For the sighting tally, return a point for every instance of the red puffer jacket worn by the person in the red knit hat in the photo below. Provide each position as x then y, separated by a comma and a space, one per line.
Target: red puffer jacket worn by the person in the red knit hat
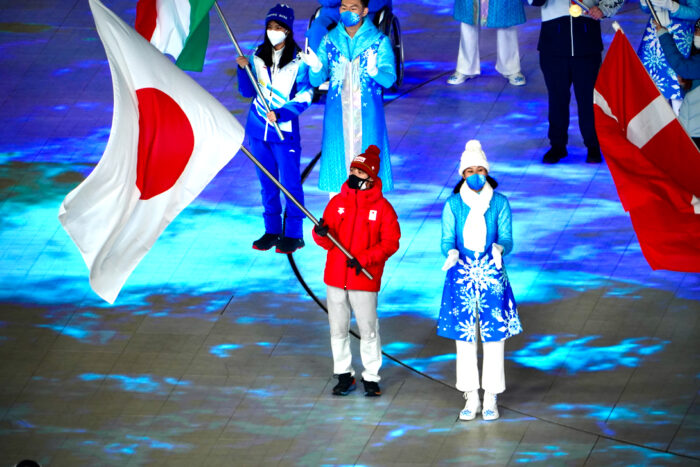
366, 224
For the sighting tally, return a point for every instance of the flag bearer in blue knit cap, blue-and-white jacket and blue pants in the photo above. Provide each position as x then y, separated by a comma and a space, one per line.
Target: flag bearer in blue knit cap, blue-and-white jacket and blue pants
284, 80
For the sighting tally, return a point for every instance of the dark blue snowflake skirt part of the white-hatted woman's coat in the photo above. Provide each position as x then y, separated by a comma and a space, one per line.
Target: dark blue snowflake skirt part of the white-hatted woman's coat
478, 298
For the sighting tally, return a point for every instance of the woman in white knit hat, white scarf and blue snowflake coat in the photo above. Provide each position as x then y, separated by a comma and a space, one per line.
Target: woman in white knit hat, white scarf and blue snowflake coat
477, 299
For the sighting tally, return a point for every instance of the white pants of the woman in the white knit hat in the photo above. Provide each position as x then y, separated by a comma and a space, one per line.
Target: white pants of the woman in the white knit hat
493, 379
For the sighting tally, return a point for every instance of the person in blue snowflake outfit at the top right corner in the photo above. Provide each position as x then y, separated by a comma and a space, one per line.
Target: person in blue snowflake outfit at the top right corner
678, 17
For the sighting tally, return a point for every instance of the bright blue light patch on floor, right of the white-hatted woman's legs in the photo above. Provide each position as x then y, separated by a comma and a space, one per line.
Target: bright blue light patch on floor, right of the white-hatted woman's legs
548, 353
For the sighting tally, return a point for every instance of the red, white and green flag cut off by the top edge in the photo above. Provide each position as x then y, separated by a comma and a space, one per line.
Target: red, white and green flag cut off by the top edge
176, 27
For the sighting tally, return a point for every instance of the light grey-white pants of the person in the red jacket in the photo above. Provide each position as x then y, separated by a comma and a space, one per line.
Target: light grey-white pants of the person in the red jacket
340, 305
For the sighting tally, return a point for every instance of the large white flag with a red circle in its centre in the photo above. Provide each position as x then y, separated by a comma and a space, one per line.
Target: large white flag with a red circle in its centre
169, 138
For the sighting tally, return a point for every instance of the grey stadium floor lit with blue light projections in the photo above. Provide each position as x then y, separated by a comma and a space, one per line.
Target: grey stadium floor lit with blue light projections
214, 355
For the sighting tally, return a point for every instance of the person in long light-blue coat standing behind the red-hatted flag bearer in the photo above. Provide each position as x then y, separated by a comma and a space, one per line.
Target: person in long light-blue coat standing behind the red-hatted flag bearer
358, 61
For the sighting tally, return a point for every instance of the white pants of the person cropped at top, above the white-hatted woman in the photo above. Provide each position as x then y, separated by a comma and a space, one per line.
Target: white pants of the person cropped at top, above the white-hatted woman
507, 55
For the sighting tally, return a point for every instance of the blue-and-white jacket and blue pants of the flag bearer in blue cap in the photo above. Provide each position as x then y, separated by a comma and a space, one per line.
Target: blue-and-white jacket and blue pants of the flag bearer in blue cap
288, 94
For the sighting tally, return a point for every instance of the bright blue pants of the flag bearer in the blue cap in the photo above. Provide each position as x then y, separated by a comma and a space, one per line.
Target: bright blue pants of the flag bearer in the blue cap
282, 160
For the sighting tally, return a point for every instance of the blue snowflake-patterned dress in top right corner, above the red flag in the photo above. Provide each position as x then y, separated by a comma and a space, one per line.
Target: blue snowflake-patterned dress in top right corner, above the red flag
654, 60
